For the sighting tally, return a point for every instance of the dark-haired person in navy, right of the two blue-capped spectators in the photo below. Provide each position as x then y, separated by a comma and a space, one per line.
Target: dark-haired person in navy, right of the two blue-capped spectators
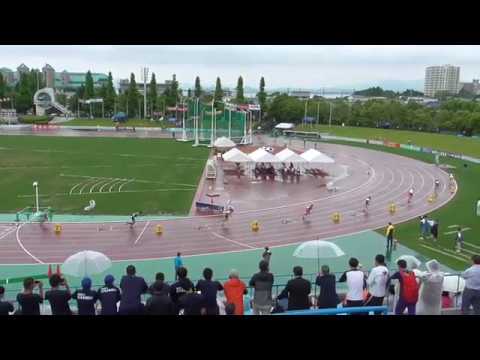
132, 289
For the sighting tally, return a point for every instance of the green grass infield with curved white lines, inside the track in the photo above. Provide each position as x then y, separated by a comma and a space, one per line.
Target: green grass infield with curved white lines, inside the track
156, 176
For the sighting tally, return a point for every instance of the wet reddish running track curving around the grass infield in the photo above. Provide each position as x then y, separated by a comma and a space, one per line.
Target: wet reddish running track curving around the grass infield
279, 213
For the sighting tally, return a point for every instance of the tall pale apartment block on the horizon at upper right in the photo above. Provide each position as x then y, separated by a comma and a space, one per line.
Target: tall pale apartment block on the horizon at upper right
444, 79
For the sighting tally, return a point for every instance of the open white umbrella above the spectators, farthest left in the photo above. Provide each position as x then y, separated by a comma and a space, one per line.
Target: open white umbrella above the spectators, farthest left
86, 263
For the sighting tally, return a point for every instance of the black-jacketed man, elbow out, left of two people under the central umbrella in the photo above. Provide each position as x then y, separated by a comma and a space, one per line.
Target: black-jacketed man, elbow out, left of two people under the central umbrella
297, 291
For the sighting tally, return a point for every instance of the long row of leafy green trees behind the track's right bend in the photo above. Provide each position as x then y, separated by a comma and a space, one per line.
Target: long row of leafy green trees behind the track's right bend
452, 115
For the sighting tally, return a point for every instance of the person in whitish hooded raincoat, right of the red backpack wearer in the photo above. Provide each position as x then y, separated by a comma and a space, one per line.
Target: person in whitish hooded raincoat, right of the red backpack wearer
430, 300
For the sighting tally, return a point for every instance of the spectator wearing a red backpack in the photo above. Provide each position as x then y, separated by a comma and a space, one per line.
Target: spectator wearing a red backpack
409, 289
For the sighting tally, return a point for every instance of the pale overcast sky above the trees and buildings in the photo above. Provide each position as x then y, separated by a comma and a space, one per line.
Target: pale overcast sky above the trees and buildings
282, 66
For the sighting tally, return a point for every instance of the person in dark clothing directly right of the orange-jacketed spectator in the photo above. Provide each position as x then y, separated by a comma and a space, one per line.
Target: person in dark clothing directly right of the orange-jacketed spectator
262, 282
